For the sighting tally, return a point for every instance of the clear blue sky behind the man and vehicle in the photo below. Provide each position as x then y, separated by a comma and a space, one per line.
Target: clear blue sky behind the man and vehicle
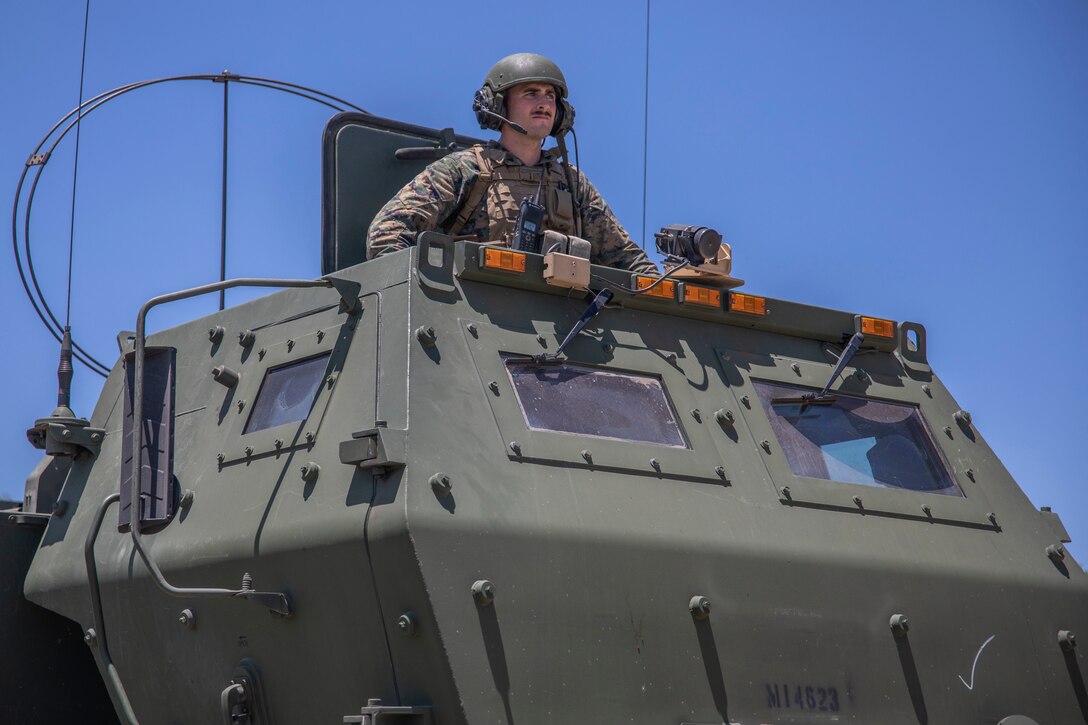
922, 162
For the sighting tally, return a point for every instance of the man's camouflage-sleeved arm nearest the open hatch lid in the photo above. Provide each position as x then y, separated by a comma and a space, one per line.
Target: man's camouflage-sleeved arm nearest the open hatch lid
424, 205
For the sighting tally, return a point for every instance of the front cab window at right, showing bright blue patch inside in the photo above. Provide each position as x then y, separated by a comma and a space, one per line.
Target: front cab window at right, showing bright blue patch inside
857, 440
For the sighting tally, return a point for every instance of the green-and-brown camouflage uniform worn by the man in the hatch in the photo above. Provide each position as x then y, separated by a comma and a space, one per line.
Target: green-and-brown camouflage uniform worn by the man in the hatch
434, 200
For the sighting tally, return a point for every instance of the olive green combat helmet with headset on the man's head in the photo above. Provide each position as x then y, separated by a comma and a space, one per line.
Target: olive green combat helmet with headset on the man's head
512, 71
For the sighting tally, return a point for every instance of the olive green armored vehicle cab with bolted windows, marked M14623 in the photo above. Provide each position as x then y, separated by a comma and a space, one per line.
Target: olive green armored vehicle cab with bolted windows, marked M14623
386, 499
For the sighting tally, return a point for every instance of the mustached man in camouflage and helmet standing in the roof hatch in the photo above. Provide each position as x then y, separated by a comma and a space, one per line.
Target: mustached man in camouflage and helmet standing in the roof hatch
477, 192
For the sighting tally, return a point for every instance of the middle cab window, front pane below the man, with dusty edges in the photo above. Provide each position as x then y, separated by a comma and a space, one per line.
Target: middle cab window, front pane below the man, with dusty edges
586, 401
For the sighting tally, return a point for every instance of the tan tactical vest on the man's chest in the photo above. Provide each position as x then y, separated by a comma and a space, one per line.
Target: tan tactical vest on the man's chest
503, 188
